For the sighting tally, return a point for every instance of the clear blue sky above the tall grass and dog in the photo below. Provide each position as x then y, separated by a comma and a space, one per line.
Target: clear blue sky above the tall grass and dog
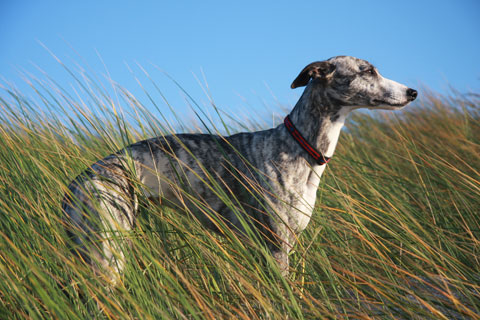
248, 51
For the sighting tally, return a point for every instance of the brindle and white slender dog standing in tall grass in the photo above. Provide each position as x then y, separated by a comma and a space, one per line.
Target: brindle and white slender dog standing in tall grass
271, 175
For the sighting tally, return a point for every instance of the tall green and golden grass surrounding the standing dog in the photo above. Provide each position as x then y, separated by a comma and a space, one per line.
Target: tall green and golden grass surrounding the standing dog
395, 234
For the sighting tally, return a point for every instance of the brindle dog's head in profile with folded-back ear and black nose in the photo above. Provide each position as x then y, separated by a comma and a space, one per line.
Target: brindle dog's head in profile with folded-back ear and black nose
354, 82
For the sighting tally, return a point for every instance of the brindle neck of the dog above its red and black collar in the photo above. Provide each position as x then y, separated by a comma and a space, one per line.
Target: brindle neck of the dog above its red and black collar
319, 119
